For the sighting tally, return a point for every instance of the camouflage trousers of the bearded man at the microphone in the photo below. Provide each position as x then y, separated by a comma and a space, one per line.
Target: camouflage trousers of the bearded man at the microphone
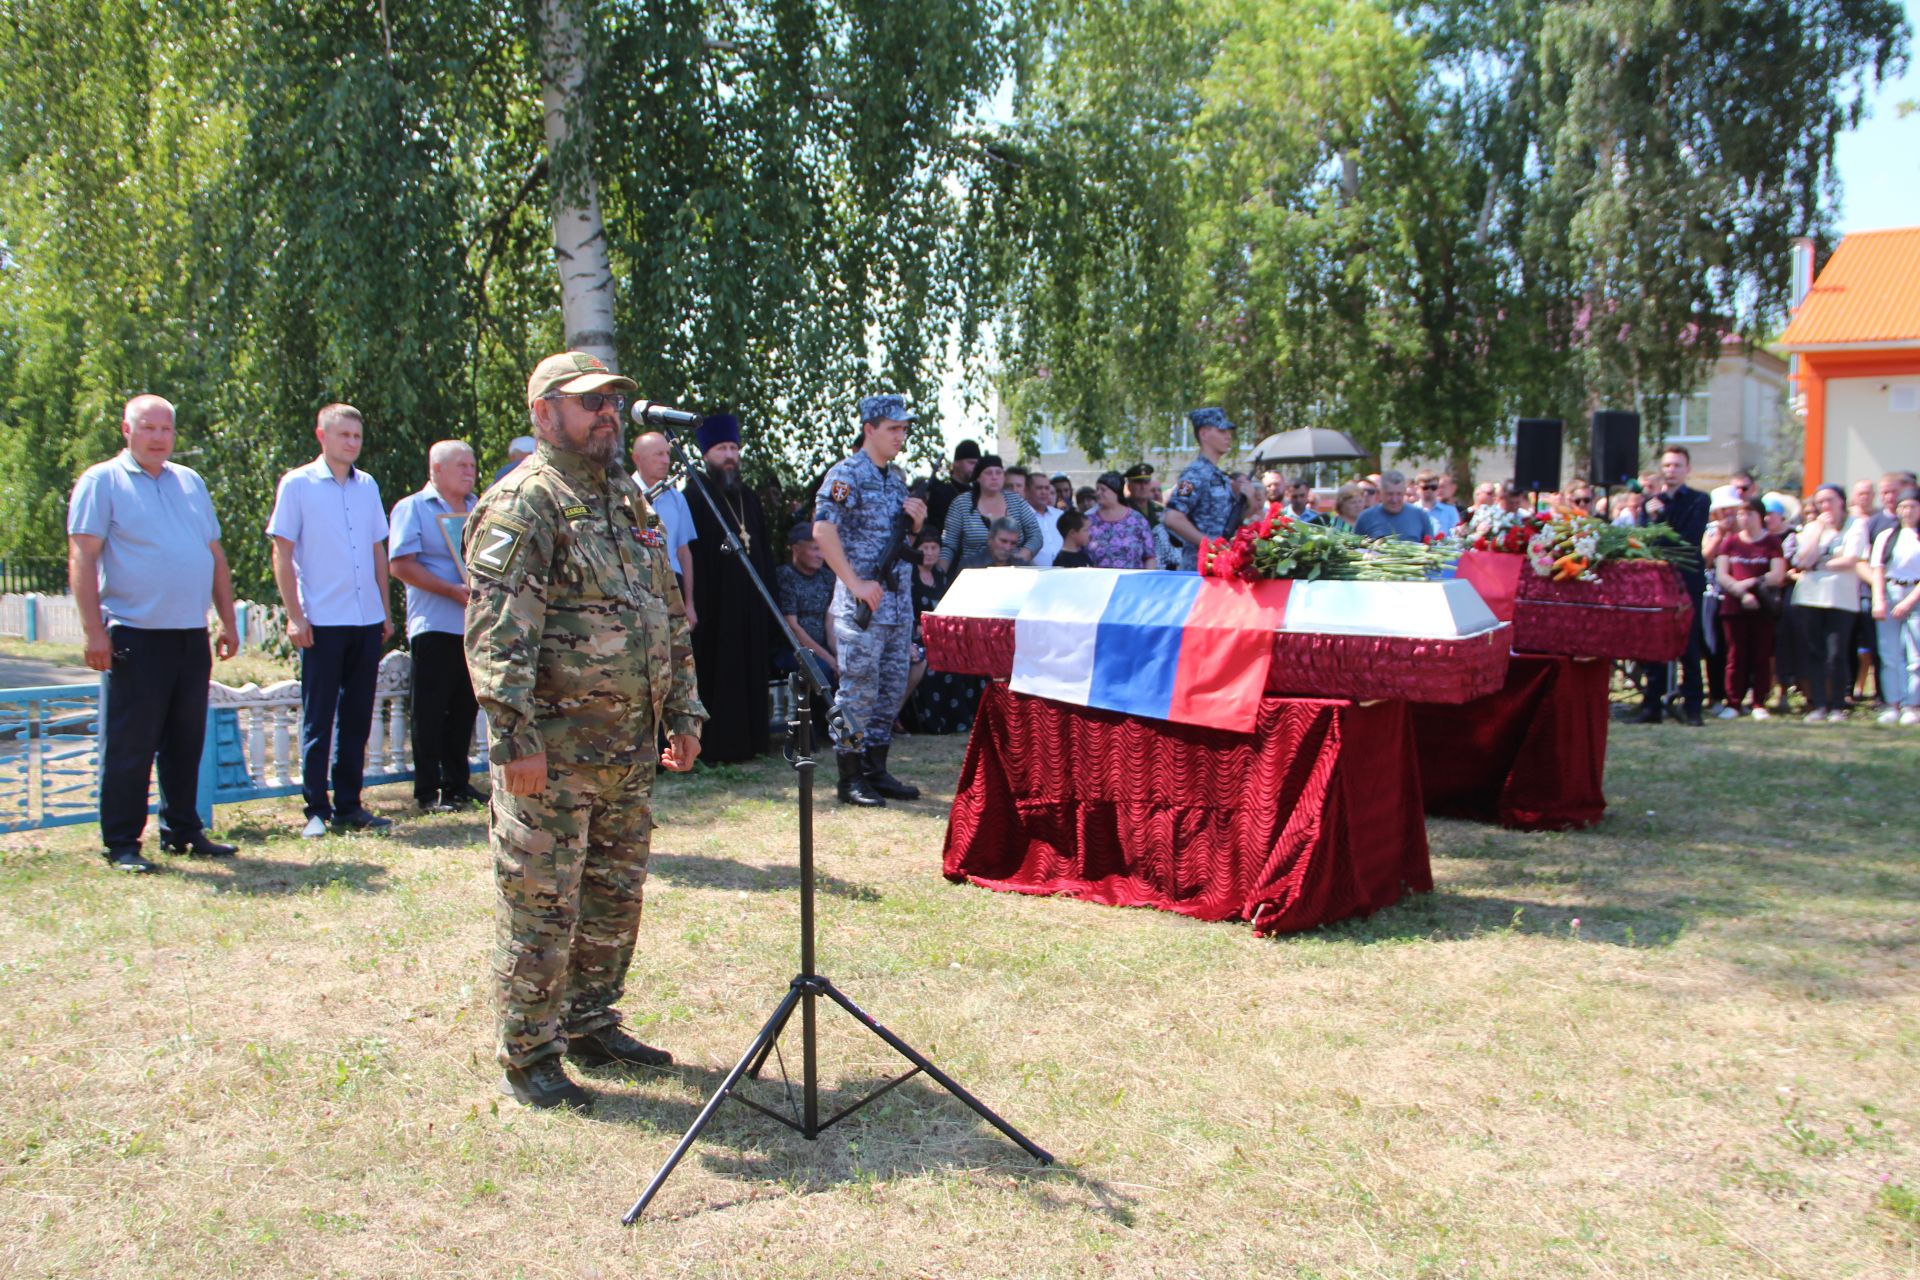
569, 870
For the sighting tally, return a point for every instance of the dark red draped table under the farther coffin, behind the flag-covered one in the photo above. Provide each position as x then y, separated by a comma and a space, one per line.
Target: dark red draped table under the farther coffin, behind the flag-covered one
1531, 757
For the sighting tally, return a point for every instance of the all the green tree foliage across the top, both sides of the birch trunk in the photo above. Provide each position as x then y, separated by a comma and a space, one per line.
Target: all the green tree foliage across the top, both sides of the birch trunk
1408, 220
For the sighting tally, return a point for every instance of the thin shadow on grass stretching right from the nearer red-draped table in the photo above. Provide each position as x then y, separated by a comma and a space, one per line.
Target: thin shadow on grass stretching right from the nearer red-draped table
1454, 918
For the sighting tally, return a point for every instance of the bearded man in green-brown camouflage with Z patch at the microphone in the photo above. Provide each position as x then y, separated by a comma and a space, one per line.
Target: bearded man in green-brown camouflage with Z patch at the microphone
581, 653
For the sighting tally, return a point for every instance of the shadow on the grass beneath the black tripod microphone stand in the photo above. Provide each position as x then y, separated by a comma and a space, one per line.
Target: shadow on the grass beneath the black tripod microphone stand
913, 1129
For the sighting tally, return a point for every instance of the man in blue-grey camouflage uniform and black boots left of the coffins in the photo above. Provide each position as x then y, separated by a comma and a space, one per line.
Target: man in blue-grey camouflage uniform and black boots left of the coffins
853, 523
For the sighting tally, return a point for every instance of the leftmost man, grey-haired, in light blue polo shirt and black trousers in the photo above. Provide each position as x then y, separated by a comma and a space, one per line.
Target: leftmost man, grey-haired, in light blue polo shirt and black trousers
145, 563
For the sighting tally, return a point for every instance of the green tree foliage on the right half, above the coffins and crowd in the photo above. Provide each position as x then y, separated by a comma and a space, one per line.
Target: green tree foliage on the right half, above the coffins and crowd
1414, 220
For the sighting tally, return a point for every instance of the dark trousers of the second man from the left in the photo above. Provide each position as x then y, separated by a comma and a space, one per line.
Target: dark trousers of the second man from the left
337, 707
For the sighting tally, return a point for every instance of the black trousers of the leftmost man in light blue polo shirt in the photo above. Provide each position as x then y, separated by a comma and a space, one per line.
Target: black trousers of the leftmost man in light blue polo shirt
156, 717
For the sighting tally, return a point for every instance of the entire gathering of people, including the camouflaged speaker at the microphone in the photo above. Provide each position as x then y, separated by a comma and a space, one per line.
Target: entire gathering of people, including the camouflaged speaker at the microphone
606, 625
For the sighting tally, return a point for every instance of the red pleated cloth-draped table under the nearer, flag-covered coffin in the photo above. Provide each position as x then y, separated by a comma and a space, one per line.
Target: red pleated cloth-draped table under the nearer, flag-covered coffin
1312, 818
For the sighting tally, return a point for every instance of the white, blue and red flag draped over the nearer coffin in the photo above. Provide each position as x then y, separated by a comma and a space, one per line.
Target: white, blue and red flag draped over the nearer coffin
1149, 644
